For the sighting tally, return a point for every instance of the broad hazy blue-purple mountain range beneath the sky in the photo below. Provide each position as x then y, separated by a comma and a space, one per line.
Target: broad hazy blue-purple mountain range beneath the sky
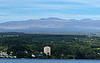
51, 25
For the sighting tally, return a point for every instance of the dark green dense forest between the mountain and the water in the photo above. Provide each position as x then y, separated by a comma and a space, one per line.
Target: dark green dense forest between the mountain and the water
63, 46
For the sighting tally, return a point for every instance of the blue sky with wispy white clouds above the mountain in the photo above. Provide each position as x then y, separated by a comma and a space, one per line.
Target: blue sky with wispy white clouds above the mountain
16, 10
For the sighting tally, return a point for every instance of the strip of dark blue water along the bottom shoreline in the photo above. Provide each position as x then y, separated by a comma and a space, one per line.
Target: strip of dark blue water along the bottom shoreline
47, 61
